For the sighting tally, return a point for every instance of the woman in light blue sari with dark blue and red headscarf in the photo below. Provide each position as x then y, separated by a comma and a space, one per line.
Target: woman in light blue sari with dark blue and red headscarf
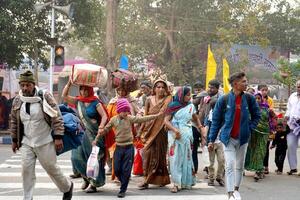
180, 113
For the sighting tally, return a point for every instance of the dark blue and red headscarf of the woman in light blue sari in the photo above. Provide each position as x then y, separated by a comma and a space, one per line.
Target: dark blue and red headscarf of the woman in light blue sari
178, 100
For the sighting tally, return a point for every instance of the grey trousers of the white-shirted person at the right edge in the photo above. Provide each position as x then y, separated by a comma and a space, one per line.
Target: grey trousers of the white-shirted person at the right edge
292, 141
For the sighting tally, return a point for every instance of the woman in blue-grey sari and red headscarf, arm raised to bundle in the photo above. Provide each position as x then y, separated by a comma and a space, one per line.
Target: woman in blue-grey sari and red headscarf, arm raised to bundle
94, 116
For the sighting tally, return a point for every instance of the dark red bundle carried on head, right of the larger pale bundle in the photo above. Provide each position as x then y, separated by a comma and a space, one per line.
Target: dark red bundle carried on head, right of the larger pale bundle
124, 78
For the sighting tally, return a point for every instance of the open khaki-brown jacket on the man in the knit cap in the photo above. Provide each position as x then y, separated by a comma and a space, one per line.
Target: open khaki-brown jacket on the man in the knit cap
17, 128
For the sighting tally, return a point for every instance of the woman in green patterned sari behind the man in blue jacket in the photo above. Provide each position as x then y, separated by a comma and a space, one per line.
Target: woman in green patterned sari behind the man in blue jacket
257, 145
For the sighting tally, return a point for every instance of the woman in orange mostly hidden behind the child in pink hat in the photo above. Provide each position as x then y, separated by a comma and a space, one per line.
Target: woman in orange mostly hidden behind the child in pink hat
121, 92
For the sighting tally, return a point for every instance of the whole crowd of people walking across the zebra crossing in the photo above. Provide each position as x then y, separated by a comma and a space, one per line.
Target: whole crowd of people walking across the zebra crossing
238, 129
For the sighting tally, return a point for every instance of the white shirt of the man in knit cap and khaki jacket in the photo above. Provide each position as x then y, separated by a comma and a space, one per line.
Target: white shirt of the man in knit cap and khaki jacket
37, 132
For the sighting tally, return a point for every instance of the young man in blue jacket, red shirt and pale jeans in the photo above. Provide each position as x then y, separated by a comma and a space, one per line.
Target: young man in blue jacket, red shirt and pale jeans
236, 115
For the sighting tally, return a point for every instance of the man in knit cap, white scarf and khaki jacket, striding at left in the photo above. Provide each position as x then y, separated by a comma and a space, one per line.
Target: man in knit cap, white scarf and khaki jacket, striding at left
32, 120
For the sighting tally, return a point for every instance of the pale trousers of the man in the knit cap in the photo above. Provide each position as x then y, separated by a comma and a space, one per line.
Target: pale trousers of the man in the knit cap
47, 157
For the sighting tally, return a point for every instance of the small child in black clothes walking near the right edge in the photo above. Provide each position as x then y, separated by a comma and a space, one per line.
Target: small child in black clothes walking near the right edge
280, 142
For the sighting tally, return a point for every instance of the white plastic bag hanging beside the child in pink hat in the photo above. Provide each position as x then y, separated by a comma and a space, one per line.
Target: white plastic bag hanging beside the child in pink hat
92, 169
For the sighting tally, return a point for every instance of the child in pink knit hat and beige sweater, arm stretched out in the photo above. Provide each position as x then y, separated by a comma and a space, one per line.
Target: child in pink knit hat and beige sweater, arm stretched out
124, 153
